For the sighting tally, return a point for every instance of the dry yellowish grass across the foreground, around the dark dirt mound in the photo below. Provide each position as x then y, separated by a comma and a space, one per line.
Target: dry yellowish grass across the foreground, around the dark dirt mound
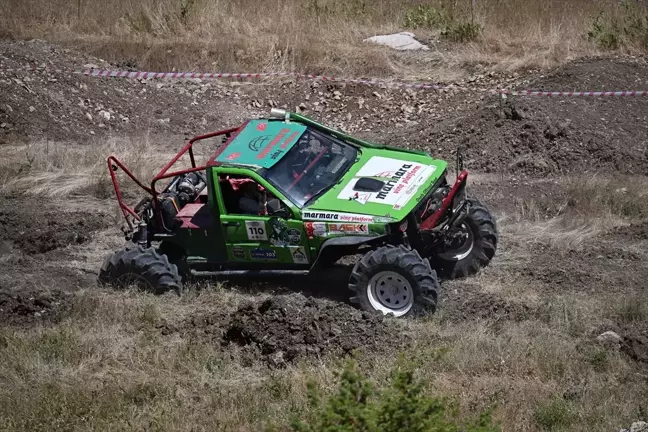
106, 367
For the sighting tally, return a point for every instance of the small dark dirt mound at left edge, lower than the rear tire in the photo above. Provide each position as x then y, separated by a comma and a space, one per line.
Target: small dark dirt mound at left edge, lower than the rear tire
24, 308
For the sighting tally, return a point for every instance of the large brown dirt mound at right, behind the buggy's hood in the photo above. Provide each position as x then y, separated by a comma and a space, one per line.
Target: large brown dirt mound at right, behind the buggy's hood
539, 135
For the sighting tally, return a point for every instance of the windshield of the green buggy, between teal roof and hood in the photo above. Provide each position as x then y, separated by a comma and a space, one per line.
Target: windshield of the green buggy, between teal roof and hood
314, 164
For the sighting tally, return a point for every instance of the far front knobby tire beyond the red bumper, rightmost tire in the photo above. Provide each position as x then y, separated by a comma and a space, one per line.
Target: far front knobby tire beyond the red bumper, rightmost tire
468, 259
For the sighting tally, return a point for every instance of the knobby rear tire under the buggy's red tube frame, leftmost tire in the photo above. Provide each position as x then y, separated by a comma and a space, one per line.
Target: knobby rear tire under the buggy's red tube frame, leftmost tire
143, 267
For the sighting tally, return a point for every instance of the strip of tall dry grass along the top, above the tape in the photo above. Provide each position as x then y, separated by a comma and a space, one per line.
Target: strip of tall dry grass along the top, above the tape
308, 35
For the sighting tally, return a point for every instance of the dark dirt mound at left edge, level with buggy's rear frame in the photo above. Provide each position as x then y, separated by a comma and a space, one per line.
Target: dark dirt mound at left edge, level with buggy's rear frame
29, 228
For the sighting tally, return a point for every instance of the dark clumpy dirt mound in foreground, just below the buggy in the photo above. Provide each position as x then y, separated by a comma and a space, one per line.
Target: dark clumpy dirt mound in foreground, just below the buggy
286, 328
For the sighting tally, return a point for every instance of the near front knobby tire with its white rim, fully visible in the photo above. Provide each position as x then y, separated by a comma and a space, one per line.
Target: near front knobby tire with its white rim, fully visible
396, 280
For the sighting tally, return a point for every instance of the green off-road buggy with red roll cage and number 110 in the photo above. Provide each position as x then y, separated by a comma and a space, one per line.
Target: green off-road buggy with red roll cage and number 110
321, 195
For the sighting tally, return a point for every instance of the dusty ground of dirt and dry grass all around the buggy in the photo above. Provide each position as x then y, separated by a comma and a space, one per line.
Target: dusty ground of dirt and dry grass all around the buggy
566, 178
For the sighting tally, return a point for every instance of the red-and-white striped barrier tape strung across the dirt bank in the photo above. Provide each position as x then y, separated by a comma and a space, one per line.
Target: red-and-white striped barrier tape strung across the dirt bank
102, 73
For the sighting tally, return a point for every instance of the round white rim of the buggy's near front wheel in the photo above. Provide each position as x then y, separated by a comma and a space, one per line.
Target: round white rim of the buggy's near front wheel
390, 292
